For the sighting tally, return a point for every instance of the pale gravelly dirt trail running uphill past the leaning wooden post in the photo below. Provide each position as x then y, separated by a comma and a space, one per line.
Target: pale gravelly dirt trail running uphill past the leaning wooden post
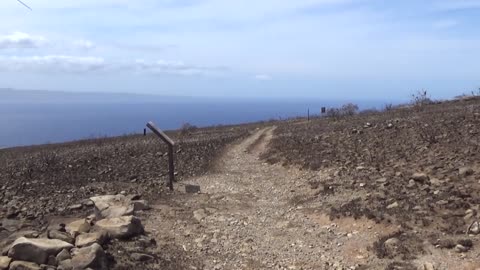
247, 217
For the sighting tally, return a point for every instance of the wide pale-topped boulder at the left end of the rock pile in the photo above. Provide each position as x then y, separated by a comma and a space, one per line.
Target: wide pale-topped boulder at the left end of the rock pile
36, 250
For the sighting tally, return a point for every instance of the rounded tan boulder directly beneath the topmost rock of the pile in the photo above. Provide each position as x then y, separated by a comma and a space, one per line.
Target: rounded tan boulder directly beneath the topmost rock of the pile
121, 227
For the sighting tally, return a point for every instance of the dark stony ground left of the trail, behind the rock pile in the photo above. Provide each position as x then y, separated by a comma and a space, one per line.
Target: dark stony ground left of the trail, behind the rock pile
40, 182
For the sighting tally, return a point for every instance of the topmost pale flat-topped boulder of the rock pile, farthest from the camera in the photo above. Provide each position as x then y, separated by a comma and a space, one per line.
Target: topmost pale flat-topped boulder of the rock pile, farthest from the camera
111, 206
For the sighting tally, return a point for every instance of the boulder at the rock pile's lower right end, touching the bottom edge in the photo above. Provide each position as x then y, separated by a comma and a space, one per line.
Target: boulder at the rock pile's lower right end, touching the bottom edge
90, 257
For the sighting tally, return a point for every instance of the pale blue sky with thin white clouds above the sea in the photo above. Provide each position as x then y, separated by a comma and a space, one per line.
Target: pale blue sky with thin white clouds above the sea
344, 49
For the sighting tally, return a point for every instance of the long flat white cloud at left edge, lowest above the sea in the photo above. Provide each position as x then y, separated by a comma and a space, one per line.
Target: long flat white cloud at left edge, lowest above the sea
52, 63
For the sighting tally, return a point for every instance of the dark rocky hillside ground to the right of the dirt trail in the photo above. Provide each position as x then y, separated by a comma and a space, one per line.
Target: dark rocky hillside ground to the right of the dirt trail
366, 168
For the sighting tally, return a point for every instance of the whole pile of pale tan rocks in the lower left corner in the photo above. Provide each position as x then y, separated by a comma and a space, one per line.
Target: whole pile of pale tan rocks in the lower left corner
77, 245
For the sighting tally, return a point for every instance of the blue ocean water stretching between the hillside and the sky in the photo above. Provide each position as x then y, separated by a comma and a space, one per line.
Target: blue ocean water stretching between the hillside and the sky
27, 124
